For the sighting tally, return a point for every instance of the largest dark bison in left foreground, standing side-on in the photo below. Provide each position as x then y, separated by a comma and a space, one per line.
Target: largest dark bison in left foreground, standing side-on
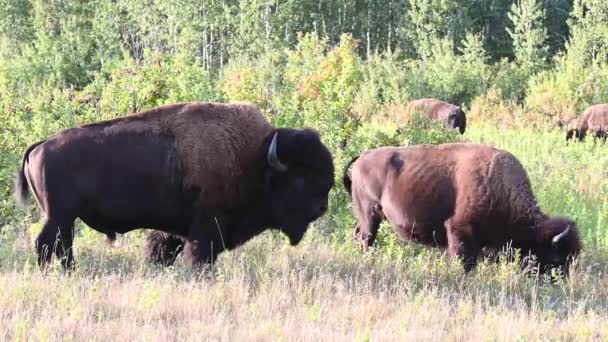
210, 176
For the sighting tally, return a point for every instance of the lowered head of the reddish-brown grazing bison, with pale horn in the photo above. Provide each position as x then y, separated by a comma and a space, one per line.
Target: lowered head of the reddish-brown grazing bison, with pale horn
557, 243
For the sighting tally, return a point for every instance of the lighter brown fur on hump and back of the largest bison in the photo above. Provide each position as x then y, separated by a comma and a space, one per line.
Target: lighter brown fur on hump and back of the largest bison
237, 130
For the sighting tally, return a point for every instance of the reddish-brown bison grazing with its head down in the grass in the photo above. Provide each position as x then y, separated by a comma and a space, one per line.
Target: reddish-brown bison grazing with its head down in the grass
461, 196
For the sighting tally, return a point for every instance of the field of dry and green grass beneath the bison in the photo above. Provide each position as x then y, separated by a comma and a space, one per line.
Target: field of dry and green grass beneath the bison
322, 289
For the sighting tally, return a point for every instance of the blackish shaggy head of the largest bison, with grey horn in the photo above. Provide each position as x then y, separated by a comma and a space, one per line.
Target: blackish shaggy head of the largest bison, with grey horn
299, 176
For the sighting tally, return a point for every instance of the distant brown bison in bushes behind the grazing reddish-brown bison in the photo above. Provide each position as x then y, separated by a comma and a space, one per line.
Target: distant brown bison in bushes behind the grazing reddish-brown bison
452, 115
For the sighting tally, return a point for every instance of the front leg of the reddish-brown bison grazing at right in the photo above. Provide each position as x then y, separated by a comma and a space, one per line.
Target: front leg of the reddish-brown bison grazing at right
462, 244
